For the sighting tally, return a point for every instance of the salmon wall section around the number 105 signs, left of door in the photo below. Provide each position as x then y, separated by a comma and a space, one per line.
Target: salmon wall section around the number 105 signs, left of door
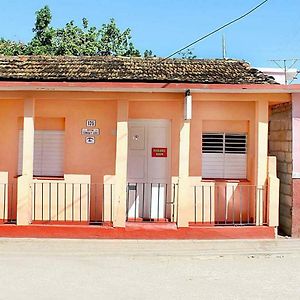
80, 158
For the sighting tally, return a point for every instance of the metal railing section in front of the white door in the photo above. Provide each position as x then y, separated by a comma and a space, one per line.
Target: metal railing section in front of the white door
152, 202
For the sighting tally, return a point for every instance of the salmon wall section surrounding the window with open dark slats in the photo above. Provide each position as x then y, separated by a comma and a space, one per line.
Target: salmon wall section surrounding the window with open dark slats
234, 117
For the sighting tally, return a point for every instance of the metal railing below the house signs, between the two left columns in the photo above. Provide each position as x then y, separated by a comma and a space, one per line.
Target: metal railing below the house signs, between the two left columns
72, 202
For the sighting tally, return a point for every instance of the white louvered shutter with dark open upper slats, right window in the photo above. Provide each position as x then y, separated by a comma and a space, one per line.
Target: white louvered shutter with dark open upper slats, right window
224, 155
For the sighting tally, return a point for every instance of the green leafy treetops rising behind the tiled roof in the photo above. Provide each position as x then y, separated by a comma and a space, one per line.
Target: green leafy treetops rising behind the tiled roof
71, 39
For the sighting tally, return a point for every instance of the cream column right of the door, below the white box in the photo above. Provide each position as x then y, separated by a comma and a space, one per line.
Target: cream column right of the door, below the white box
185, 208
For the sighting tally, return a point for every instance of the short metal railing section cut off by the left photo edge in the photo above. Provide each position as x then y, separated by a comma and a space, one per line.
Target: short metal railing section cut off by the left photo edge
8, 202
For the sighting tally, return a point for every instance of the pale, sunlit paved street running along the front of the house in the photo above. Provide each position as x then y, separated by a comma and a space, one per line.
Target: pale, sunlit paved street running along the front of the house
114, 269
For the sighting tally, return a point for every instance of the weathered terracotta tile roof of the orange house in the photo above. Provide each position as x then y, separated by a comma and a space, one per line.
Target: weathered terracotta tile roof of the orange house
107, 68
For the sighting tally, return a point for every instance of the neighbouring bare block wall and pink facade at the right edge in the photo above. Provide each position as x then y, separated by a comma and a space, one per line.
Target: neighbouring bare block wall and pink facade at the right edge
285, 145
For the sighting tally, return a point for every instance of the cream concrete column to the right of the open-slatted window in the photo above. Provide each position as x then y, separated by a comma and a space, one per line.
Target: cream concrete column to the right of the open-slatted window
262, 117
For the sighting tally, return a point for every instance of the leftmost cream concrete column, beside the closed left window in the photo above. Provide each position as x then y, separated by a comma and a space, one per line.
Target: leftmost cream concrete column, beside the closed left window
24, 193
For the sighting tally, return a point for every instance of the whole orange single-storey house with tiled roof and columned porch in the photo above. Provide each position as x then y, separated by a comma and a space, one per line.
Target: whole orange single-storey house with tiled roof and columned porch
124, 142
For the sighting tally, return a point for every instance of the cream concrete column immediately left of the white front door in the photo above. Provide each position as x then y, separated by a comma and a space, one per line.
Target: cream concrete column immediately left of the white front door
119, 213
